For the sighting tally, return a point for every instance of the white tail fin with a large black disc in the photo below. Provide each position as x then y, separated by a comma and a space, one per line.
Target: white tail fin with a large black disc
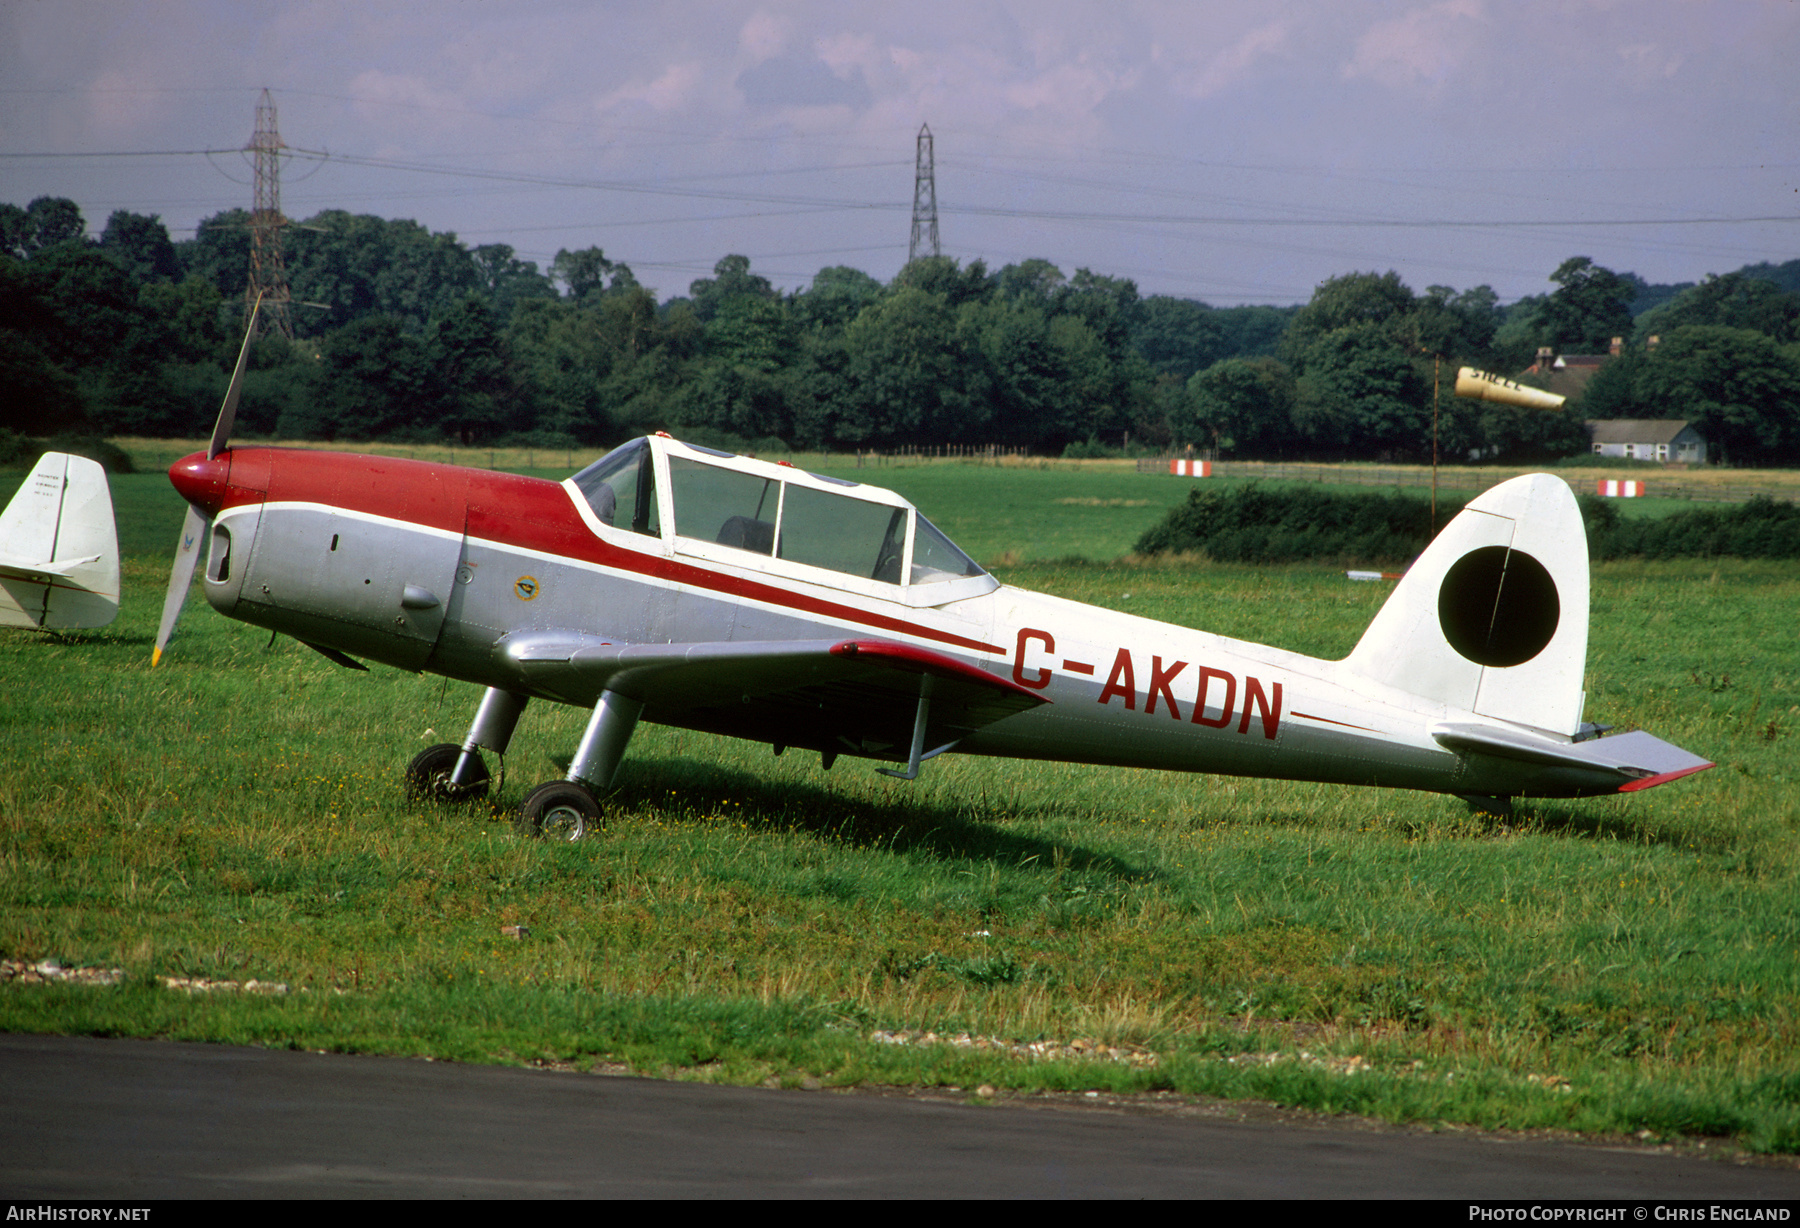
1493, 619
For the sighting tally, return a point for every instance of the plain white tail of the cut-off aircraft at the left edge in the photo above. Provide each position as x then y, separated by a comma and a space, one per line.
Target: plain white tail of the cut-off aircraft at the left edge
60, 548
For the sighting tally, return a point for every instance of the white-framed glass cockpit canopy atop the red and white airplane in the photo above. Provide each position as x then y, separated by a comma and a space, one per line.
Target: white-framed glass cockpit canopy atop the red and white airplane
775, 518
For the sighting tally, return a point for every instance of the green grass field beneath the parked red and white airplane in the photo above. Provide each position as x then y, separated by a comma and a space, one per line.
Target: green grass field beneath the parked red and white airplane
1614, 966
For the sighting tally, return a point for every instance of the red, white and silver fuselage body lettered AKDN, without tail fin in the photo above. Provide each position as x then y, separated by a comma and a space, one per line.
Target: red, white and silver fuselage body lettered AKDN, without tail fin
435, 568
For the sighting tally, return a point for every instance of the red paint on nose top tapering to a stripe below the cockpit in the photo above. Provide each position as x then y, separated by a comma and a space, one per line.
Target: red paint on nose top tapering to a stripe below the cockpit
508, 510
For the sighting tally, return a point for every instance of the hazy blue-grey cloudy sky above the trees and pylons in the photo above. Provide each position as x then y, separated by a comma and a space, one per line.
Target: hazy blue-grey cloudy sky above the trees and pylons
1232, 152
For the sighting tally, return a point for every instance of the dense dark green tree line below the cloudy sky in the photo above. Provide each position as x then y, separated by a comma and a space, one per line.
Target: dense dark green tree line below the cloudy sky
406, 334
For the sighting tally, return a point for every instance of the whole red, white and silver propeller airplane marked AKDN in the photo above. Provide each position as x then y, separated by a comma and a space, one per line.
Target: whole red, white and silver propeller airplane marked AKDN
723, 593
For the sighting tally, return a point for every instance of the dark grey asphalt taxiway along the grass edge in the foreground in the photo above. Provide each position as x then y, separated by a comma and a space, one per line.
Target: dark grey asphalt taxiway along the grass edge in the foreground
89, 1119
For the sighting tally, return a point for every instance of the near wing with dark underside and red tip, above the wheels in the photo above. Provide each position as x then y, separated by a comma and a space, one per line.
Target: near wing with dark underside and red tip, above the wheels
836, 696
